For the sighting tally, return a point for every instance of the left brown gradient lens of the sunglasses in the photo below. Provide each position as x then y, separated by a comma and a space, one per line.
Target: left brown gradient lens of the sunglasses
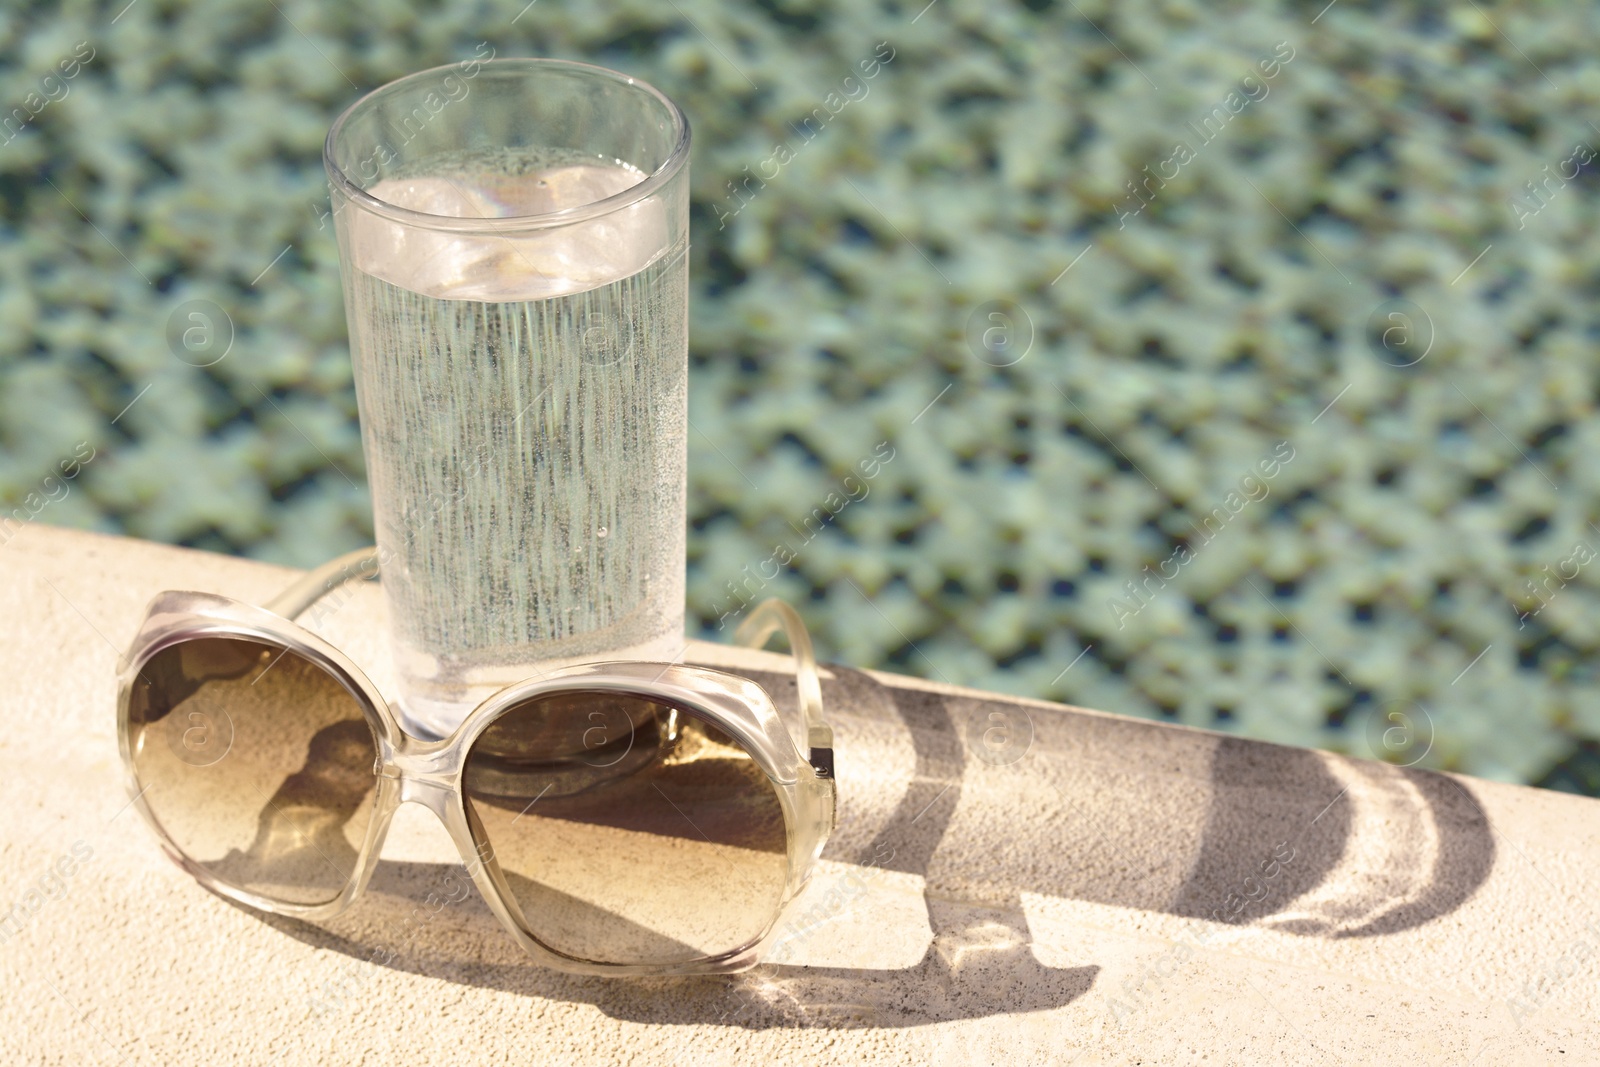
257, 764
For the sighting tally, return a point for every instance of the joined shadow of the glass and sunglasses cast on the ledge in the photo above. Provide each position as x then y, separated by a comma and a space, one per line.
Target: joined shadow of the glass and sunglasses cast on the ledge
1090, 809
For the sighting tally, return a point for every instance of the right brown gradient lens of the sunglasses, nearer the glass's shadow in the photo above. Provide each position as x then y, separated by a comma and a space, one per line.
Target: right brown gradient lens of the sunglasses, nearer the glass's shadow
628, 831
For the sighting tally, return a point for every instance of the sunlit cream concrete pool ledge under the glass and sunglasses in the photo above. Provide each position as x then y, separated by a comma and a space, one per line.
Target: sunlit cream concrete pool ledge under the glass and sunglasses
1010, 882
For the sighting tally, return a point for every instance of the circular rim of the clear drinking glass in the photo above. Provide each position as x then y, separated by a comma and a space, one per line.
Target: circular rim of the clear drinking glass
550, 220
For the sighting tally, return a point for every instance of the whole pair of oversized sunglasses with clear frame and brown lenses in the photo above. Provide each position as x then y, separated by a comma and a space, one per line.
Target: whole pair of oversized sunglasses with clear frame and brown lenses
618, 818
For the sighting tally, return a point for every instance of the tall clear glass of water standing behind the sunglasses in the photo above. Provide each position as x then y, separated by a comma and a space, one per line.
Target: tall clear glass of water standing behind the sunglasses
513, 241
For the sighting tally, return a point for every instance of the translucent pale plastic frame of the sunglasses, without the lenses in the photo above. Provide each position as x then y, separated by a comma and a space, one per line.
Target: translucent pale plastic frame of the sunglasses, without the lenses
796, 759
